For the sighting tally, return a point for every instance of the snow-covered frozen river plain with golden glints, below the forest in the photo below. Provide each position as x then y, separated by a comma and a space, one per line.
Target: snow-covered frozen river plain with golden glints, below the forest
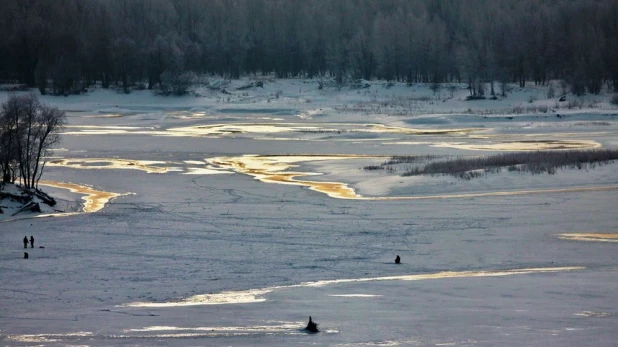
229, 219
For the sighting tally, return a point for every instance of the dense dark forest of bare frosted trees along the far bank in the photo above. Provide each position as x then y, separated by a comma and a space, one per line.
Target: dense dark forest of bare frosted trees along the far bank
64, 46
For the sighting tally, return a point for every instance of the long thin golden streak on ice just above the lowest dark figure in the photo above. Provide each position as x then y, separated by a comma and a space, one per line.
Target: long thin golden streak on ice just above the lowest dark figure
256, 295
